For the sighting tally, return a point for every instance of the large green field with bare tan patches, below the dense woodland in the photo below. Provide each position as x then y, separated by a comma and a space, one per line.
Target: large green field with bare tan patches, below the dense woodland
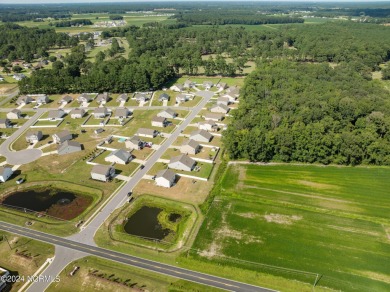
333, 221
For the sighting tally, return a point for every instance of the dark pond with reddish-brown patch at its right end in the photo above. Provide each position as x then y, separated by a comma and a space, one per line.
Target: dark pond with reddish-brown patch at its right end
56, 203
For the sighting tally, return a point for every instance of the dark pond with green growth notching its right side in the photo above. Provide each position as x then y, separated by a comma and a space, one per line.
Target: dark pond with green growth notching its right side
145, 223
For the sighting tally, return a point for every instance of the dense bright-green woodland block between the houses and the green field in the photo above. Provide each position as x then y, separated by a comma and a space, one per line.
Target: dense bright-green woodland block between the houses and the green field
310, 113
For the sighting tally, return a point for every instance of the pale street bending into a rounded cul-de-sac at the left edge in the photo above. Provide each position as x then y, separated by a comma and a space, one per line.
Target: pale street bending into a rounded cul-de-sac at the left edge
23, 156
